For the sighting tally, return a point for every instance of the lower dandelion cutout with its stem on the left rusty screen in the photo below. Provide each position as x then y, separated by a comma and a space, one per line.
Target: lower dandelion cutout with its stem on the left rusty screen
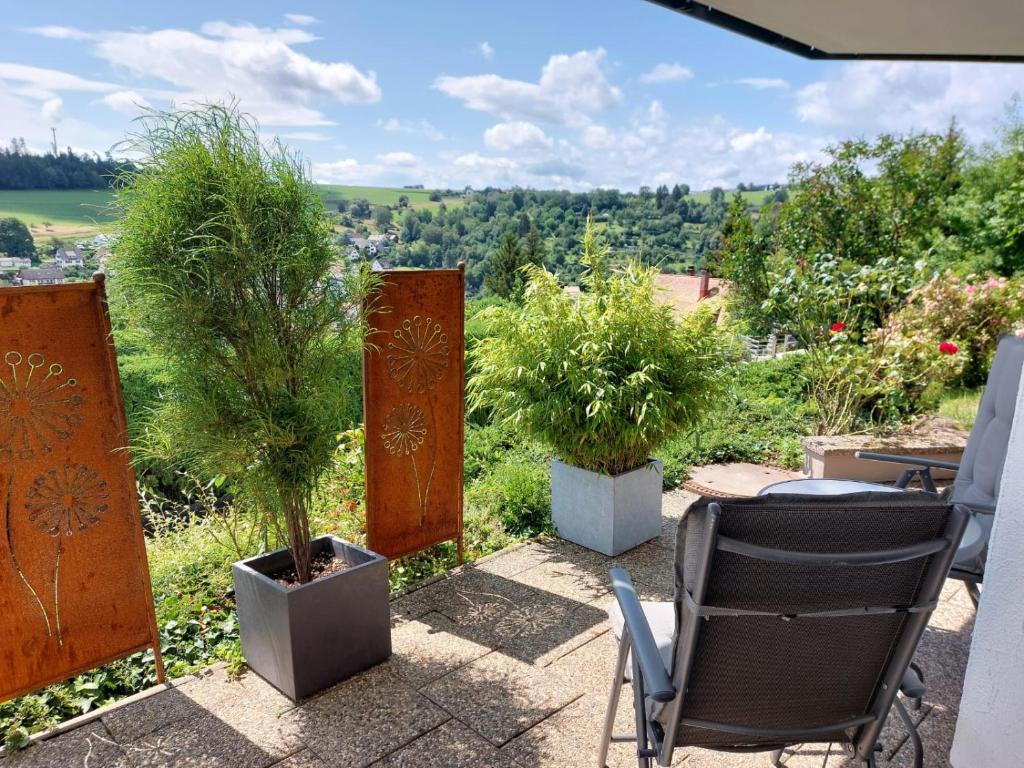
64, 503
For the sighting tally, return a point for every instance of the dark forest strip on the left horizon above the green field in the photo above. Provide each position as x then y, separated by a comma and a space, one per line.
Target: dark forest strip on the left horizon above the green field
21, 169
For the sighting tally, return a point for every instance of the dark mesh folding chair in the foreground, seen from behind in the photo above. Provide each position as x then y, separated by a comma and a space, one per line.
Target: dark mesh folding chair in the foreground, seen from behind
795, 621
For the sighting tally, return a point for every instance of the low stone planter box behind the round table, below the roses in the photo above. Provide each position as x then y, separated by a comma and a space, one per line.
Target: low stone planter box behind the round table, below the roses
834, 457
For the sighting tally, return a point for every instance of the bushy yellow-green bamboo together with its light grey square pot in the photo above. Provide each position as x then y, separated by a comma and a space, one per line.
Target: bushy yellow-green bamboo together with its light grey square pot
603, 380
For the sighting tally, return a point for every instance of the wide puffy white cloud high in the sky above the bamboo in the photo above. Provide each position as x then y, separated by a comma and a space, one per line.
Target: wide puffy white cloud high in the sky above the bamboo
571, 88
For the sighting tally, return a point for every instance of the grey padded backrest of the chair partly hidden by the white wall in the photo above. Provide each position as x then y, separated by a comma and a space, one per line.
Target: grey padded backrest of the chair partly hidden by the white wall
982, 467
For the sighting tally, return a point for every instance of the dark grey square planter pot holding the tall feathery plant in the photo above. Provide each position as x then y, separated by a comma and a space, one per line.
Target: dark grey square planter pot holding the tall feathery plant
306, 639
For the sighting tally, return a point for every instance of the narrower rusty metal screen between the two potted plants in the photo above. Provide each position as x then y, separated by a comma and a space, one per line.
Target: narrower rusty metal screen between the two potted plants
413, 393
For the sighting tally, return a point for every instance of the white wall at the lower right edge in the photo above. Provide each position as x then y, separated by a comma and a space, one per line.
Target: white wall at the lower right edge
991, 727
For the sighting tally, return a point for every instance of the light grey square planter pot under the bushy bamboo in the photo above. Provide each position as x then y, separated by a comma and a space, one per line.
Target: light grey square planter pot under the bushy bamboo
606, 514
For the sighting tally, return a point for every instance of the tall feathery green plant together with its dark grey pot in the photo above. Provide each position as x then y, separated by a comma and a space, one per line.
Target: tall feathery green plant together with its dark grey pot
224, 261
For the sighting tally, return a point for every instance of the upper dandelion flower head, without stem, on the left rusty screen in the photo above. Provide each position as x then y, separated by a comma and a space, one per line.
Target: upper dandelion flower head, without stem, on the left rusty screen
38, 406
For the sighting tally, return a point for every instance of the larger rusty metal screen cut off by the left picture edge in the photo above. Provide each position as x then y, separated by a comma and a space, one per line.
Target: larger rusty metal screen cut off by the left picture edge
75, 589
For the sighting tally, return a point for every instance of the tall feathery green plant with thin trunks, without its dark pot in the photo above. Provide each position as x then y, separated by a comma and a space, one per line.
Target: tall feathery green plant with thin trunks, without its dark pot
255, 330
